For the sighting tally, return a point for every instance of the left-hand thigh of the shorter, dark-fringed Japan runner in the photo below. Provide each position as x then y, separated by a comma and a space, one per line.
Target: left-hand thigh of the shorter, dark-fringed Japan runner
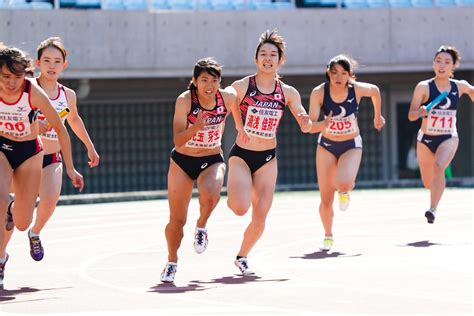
180, 190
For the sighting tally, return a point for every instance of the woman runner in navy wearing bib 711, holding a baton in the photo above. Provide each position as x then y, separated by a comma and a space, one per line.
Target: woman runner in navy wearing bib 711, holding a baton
438, 137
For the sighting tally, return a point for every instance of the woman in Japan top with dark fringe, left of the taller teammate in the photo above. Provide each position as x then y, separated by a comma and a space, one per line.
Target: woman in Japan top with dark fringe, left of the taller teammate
198, 125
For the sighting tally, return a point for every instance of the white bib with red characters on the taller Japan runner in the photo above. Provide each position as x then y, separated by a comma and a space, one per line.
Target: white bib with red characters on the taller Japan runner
262, 122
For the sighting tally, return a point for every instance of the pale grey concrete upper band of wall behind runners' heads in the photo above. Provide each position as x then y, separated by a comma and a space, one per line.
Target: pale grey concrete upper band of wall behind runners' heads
108, 44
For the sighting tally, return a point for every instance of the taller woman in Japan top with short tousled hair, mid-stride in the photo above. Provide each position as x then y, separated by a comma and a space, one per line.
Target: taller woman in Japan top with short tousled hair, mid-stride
261, 101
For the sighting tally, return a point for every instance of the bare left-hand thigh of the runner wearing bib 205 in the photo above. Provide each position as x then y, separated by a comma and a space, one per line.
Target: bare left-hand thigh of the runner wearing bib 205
326, 164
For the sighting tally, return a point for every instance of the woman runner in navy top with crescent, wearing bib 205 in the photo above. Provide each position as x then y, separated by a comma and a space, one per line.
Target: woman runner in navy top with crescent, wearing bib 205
339, 149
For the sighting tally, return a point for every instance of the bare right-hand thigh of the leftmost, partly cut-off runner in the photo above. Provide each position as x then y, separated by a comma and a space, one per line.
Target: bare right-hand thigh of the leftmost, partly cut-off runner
26, 180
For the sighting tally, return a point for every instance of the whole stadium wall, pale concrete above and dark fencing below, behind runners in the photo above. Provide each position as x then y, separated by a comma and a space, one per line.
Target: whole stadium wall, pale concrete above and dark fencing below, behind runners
128, 68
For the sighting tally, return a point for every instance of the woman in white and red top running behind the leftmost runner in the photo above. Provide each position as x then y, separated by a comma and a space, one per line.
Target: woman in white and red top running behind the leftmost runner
52, 61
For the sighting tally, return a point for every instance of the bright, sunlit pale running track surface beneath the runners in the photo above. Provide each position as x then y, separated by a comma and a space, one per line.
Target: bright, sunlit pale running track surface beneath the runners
106, 259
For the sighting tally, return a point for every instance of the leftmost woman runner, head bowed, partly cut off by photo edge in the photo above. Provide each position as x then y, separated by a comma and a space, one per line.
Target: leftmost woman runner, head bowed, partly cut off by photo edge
21, 152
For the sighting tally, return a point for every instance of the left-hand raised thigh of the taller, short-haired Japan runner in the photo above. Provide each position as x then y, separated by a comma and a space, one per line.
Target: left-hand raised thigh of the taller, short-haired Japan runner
239, 182
